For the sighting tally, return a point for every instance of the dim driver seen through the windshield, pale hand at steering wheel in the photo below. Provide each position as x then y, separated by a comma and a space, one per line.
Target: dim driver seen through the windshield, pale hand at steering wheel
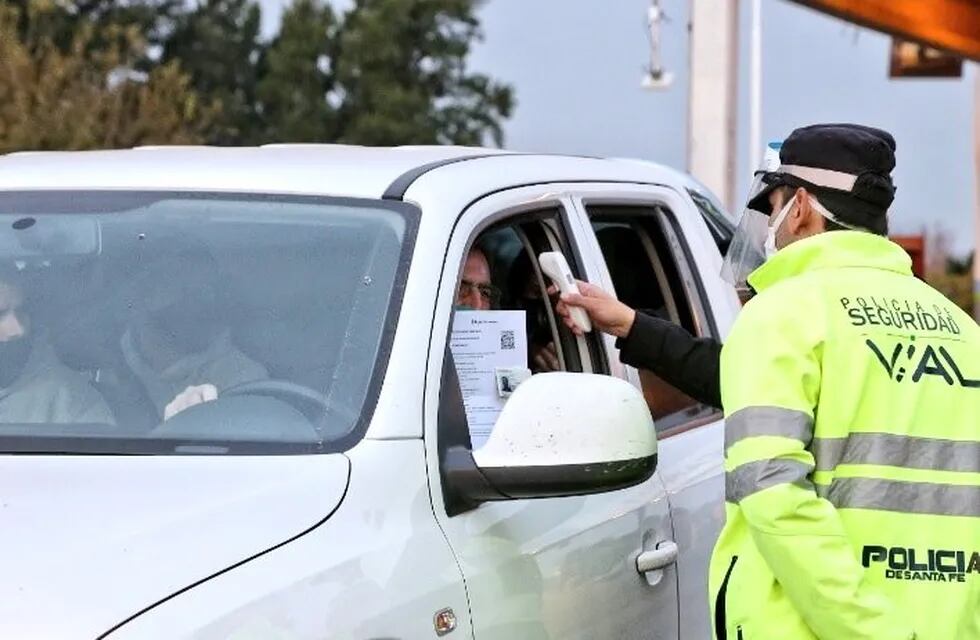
178, 344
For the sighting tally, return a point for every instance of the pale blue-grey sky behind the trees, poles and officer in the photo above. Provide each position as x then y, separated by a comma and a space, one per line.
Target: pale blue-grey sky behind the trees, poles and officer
576, 67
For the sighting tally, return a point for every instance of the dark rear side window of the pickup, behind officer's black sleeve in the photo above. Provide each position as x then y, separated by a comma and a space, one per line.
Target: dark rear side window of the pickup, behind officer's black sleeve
646, 258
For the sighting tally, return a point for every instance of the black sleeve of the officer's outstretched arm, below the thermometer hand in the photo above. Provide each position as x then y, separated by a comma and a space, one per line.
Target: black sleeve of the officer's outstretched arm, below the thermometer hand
689, 363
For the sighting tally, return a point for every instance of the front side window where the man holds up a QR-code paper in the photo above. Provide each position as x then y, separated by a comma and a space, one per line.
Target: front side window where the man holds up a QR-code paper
500, 272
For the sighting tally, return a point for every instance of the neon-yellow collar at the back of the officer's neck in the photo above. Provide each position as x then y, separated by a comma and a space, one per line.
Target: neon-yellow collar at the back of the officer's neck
829, 250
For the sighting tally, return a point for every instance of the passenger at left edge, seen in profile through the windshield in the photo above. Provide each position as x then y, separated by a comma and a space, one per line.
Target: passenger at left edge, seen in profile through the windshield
35, 387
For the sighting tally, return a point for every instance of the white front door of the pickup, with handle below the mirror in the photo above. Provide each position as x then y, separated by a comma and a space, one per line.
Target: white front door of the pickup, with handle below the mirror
549, 567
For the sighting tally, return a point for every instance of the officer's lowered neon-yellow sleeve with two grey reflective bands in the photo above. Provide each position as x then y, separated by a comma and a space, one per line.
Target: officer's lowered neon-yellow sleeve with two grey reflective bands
770, 374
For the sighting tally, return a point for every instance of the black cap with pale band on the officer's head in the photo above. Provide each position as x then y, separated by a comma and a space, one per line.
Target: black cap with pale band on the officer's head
846, 166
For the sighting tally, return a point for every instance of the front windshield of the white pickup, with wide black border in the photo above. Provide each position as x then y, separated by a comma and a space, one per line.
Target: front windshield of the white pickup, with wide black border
156, 323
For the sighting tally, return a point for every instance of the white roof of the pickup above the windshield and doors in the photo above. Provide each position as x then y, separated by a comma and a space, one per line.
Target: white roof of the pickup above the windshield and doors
314, 169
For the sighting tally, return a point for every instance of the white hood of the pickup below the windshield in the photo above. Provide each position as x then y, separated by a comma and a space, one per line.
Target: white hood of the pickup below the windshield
106, 536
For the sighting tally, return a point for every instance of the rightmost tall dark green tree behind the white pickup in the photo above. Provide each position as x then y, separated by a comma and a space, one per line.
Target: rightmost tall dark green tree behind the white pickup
400, 69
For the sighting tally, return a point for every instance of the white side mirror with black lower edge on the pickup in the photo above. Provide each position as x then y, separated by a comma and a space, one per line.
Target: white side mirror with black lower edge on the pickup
560, 434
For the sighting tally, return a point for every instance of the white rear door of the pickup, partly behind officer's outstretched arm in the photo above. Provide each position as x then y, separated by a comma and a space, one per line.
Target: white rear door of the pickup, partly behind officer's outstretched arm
656, 251
